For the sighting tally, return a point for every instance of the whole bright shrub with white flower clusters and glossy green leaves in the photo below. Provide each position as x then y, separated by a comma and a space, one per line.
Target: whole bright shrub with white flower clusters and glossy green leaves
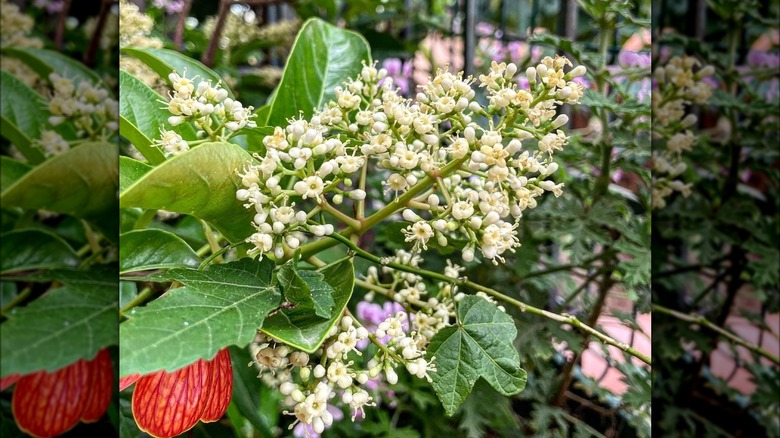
284, 196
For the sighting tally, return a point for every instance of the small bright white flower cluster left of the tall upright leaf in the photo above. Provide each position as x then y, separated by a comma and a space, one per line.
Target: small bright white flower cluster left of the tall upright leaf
207, 106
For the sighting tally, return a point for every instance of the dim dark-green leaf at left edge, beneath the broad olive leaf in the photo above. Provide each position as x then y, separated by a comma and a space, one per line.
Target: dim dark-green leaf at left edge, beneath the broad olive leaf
27, 250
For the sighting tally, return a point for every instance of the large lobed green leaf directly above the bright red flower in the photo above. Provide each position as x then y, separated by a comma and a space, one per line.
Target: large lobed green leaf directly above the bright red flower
221, 306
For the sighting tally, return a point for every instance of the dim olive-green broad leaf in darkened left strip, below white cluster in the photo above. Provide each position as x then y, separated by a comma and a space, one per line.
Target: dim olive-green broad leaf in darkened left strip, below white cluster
81, 182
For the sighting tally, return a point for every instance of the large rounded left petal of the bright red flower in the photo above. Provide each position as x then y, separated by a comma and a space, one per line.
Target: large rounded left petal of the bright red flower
168, 404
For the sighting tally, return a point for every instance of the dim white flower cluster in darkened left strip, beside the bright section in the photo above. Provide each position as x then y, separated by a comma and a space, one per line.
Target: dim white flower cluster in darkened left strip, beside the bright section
88, 107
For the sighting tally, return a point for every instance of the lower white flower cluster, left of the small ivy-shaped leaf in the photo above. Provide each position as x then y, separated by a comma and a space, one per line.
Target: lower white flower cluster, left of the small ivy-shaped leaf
310, 382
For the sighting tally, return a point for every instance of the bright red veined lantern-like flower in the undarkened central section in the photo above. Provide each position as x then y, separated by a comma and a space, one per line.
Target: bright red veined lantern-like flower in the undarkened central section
166, 404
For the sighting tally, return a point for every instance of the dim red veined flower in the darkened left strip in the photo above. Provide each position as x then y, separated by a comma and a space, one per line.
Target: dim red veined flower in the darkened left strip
49, 404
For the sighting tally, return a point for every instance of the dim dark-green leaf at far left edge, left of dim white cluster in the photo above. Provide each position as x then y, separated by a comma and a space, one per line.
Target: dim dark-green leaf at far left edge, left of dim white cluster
22, 114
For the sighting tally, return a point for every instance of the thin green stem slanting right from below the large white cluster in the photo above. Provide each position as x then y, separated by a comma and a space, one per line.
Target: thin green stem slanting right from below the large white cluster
523, 307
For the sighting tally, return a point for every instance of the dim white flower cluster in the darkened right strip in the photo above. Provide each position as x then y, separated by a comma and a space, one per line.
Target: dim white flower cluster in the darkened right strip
680, 84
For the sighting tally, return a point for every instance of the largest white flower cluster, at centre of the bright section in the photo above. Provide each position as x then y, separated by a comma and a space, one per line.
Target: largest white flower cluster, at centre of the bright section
475, 181
